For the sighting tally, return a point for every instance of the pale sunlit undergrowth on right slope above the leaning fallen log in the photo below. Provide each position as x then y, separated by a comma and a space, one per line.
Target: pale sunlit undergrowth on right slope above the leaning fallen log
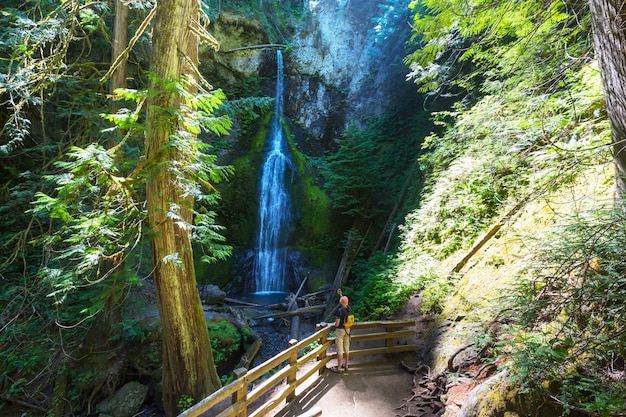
500, 150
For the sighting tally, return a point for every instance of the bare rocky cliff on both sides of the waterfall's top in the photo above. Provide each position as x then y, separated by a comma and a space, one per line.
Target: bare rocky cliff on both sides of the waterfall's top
343, 62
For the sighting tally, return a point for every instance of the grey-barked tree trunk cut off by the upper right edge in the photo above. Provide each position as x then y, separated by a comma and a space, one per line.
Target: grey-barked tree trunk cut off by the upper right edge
609, 36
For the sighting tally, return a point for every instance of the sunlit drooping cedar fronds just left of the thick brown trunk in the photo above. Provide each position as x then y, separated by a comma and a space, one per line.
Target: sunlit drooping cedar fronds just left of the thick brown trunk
97, 214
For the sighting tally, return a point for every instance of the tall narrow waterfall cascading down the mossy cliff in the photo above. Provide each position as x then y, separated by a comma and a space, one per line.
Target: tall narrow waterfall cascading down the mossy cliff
275, 219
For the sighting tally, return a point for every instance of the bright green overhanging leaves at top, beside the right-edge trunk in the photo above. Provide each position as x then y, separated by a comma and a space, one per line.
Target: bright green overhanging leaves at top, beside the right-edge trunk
467, 45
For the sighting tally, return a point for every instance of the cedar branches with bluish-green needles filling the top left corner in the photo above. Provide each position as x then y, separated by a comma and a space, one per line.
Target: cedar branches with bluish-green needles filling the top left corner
37, 44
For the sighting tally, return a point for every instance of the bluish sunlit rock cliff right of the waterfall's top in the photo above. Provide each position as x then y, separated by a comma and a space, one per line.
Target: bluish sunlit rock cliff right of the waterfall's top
345, 63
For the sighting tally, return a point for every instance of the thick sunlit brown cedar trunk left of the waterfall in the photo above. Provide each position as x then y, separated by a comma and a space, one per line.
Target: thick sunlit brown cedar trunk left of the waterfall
188, 367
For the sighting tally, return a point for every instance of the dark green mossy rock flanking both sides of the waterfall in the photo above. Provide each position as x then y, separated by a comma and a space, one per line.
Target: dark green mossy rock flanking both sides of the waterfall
315, 235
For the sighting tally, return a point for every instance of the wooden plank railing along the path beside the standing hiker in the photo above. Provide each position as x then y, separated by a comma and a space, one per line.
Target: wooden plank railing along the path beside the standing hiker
248, 386
